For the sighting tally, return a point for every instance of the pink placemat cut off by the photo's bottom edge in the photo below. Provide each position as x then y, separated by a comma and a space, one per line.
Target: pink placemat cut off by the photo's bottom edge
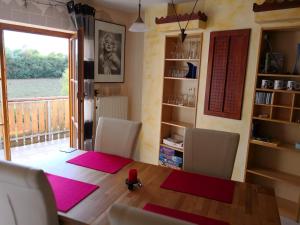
189, 217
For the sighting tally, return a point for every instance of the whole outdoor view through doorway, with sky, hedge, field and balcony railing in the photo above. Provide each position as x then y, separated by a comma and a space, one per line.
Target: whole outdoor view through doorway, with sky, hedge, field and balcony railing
37, 83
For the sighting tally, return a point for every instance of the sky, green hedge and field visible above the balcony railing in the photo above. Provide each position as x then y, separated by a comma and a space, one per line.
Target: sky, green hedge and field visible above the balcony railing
36, 65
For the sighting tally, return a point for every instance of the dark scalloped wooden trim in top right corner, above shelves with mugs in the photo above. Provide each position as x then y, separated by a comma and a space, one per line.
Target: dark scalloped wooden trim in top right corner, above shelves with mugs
269, 6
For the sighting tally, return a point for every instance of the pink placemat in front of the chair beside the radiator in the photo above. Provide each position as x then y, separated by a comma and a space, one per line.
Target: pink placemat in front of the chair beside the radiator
100, 161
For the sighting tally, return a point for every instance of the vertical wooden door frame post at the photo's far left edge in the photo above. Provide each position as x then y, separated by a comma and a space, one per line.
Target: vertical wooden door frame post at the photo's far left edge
6, 136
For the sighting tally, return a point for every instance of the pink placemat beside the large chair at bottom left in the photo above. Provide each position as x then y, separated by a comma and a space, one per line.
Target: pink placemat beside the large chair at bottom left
68, 192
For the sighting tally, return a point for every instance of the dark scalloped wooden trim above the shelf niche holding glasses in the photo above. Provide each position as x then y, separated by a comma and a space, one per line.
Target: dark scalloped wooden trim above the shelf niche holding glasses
185, 17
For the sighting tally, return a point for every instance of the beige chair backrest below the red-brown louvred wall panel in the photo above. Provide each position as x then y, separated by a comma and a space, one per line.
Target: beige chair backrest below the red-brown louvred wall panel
210, 152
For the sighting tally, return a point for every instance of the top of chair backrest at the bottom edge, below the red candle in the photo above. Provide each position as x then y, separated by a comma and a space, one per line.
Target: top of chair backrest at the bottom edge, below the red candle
125, 215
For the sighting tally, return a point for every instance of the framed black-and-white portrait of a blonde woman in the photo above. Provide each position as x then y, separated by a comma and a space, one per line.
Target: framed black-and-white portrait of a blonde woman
109, 52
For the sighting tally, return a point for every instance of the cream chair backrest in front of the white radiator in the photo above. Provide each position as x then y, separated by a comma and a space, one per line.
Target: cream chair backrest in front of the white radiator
116, 136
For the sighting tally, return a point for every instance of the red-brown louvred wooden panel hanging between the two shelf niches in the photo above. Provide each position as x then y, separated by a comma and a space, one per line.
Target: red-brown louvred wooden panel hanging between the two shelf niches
226, 73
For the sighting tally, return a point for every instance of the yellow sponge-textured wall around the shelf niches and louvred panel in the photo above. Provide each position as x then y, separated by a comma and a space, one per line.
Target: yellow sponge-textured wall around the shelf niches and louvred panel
222, 15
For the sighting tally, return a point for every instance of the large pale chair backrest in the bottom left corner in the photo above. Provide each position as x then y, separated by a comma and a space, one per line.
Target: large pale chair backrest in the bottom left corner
26, 197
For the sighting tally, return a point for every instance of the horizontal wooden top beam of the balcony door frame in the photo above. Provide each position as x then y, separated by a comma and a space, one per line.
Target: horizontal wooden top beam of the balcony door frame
34, 30
